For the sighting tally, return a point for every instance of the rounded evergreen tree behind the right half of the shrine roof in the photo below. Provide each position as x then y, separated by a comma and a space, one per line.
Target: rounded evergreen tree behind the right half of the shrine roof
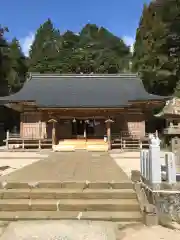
103, 52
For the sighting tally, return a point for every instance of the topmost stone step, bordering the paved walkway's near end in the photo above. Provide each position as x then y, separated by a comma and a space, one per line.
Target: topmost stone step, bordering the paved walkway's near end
70, 185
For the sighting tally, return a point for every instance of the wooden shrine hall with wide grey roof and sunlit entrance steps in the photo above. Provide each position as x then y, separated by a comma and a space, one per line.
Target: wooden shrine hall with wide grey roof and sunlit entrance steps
82, 111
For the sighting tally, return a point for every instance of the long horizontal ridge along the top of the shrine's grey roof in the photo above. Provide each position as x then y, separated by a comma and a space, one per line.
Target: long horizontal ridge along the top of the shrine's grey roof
119, 75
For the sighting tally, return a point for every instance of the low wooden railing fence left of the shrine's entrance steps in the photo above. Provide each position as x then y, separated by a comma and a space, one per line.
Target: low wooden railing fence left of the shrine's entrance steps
14, 140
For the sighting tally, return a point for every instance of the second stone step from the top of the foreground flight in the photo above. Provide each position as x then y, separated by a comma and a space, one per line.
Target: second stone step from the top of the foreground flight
63, 193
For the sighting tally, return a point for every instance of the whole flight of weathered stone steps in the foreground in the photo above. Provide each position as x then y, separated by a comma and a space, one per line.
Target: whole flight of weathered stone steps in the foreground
69, 200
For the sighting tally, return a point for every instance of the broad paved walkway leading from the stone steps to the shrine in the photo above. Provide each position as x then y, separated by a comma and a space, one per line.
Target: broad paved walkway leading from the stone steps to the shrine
76, 166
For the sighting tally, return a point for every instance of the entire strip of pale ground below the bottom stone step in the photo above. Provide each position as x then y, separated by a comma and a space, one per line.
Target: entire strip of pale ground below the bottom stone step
83, 230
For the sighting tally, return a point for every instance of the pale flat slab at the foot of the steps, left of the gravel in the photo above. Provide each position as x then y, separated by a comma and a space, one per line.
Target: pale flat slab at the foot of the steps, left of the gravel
59, 230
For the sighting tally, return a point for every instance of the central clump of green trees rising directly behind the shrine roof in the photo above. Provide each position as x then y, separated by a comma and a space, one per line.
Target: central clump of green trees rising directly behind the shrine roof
94, 50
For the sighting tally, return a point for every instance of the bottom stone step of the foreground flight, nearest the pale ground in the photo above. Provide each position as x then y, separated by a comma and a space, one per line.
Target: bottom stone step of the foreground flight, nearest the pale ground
123, 218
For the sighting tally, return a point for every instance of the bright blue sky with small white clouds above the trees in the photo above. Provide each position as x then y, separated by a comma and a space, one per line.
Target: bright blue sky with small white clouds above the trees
23, 17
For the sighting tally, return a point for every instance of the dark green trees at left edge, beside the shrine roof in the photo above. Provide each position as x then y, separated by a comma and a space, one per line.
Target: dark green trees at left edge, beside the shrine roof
13, 67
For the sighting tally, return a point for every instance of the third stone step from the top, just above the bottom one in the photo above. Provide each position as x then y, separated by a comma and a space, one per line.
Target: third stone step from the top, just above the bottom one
69, 205
